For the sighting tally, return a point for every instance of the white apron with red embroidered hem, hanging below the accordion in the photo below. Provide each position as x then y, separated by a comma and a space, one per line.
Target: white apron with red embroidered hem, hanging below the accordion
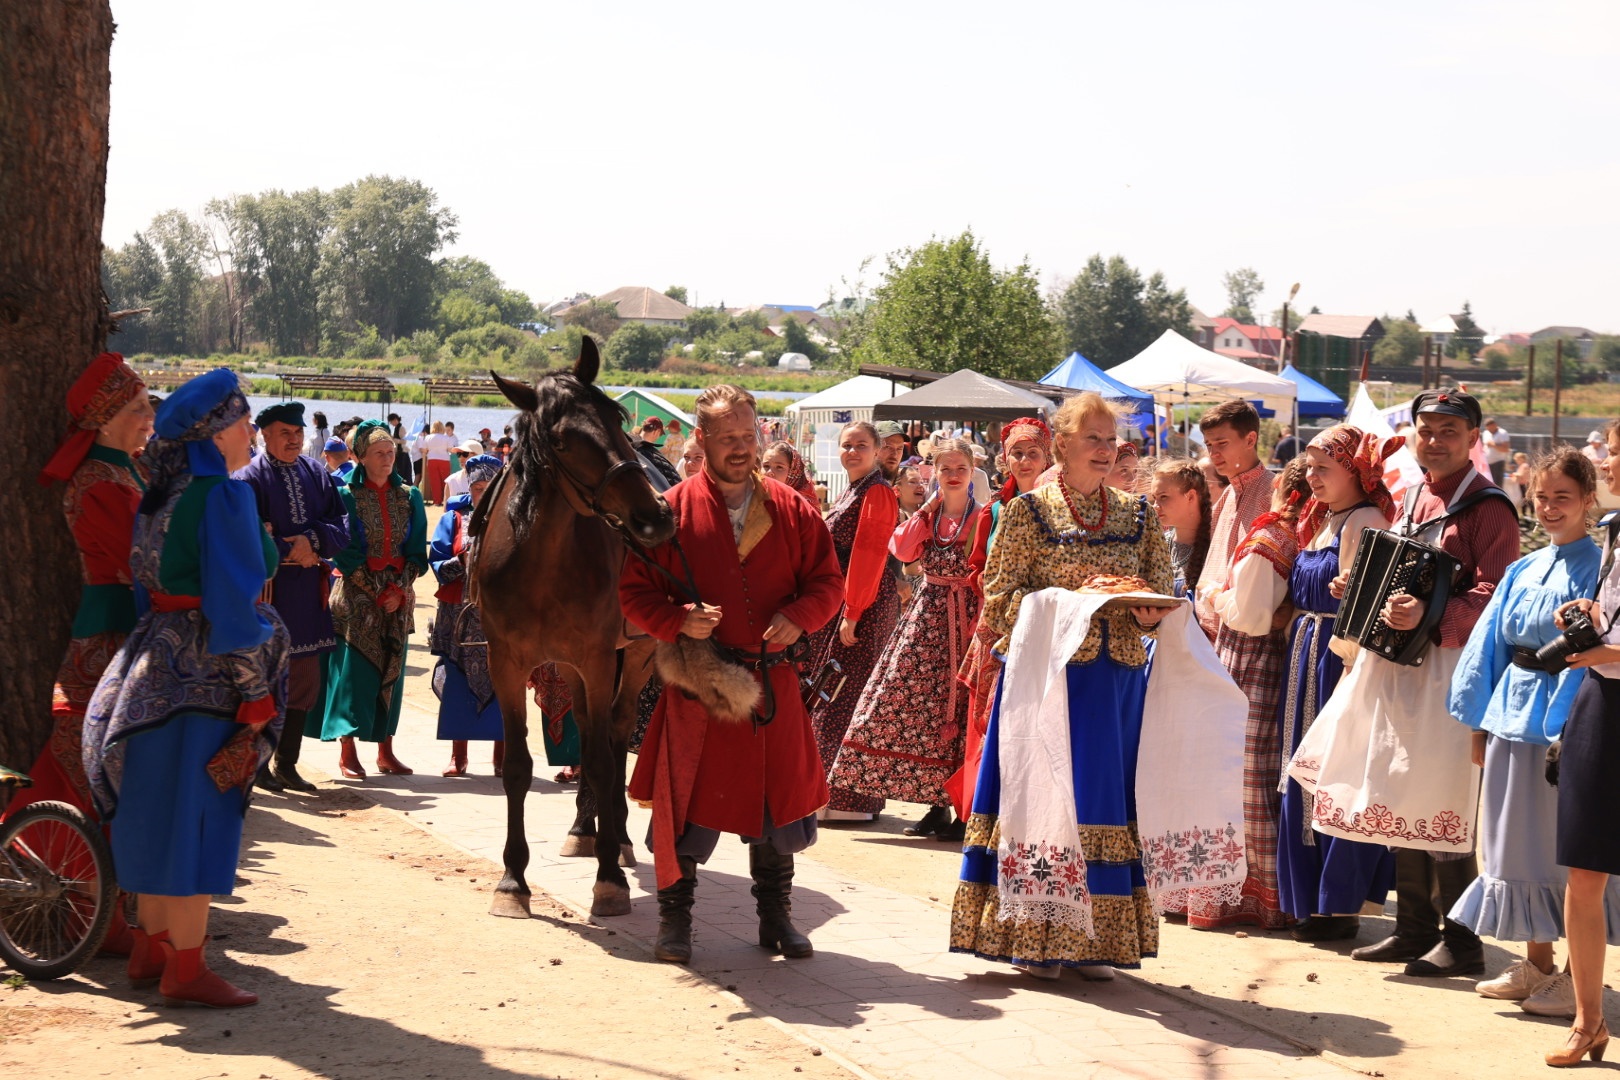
1388, 763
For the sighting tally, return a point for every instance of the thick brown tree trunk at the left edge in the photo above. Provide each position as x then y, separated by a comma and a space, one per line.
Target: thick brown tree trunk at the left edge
54, 101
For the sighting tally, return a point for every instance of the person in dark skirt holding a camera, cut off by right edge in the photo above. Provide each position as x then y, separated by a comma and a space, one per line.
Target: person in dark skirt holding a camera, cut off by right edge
1588, 797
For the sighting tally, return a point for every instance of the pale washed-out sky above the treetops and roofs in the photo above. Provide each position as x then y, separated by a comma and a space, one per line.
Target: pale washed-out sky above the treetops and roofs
1388, 156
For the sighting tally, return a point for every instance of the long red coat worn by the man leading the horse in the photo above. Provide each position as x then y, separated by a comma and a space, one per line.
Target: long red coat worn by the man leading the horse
714, 773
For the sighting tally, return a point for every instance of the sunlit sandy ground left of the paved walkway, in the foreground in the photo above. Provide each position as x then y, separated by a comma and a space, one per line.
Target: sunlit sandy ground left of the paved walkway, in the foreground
352, 925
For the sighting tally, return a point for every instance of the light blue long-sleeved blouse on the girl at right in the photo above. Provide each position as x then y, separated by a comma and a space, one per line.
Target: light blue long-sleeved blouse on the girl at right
1517, 704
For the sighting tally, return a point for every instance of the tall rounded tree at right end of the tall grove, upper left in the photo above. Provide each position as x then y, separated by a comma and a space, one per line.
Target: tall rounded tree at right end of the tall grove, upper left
378, 265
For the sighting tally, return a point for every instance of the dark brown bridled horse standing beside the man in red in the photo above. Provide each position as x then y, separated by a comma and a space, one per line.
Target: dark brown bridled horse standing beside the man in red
547, 577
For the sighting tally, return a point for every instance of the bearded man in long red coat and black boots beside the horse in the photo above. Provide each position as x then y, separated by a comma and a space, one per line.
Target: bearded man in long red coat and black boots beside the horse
765, 574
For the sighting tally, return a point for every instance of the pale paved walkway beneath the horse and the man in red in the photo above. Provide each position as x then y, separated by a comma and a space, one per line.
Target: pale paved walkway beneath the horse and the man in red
882, 992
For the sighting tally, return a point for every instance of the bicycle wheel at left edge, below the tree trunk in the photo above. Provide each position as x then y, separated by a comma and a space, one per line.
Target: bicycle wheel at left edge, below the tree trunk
58, 890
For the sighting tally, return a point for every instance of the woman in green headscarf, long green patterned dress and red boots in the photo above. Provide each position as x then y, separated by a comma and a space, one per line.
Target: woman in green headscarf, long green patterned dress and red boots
373, 606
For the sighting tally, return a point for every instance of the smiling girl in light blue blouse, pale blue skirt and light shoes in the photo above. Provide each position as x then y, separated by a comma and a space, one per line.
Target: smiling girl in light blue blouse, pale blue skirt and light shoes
1516, 691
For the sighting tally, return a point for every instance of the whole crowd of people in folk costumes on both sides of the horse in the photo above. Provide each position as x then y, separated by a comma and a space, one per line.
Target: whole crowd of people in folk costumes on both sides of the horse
1025, 639
